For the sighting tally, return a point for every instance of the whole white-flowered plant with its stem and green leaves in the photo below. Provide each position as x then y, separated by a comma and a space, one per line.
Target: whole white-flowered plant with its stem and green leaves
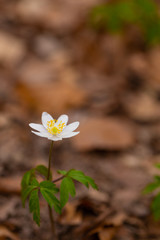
33, 189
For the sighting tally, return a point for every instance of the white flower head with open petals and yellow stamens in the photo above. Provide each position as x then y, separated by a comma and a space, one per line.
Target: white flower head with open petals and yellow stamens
54, 130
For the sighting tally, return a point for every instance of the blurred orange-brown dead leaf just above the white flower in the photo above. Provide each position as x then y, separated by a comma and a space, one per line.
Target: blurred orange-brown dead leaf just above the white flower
58, 97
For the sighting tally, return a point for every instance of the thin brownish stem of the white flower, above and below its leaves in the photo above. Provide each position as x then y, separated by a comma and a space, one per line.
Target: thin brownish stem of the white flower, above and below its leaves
49, 208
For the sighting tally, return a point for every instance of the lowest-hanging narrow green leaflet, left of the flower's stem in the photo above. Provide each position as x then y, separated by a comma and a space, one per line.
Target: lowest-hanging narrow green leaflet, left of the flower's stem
34, 206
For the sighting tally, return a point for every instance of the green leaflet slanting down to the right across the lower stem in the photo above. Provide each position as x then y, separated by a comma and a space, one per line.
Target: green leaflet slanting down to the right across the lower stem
51, 199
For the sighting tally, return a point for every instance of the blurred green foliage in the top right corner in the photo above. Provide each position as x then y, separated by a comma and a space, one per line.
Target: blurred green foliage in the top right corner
116, 16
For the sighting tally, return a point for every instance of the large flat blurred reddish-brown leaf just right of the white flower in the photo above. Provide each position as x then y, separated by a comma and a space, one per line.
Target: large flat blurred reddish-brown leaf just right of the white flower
104, 133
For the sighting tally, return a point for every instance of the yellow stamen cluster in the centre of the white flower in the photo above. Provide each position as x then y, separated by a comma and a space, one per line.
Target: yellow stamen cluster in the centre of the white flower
54, 130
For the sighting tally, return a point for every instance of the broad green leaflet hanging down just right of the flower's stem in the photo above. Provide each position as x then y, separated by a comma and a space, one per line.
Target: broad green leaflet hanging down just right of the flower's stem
67, 187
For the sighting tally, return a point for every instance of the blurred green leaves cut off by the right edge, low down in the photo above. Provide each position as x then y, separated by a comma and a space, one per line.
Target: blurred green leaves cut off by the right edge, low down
154, 186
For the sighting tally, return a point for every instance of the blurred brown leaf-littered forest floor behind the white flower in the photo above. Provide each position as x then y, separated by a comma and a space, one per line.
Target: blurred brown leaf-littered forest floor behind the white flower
99, 62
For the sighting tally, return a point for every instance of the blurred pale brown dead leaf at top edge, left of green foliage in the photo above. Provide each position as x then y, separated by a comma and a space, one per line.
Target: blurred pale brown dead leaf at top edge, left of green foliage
54, 14
